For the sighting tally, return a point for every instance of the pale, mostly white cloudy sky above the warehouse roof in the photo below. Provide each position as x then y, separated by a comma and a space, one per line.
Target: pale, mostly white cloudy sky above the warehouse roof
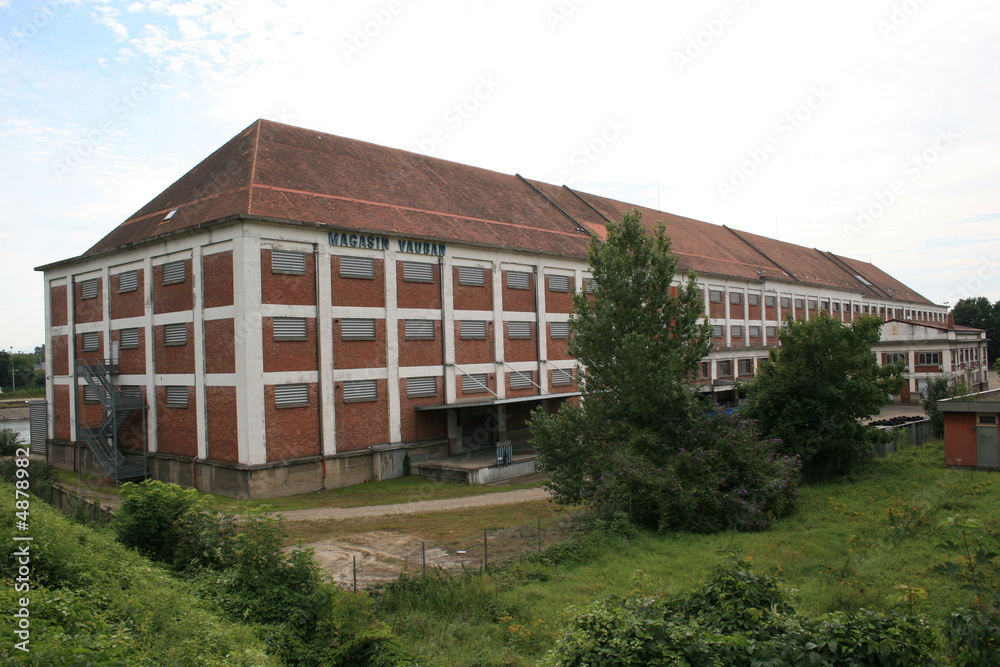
870, 128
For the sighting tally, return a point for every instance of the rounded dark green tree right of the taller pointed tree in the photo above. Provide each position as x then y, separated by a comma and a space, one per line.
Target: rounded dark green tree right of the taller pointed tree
814, 388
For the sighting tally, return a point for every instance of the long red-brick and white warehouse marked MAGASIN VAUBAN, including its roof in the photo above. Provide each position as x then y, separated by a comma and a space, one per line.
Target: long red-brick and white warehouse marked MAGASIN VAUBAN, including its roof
303, 311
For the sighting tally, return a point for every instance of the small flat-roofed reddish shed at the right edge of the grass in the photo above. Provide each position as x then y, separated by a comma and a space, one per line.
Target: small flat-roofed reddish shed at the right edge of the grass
970, 429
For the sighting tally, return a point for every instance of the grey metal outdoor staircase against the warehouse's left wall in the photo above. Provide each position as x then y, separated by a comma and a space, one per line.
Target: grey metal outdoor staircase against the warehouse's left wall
119, 405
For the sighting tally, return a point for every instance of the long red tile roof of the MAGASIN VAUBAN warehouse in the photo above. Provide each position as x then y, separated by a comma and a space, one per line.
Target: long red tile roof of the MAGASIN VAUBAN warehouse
289, 174
